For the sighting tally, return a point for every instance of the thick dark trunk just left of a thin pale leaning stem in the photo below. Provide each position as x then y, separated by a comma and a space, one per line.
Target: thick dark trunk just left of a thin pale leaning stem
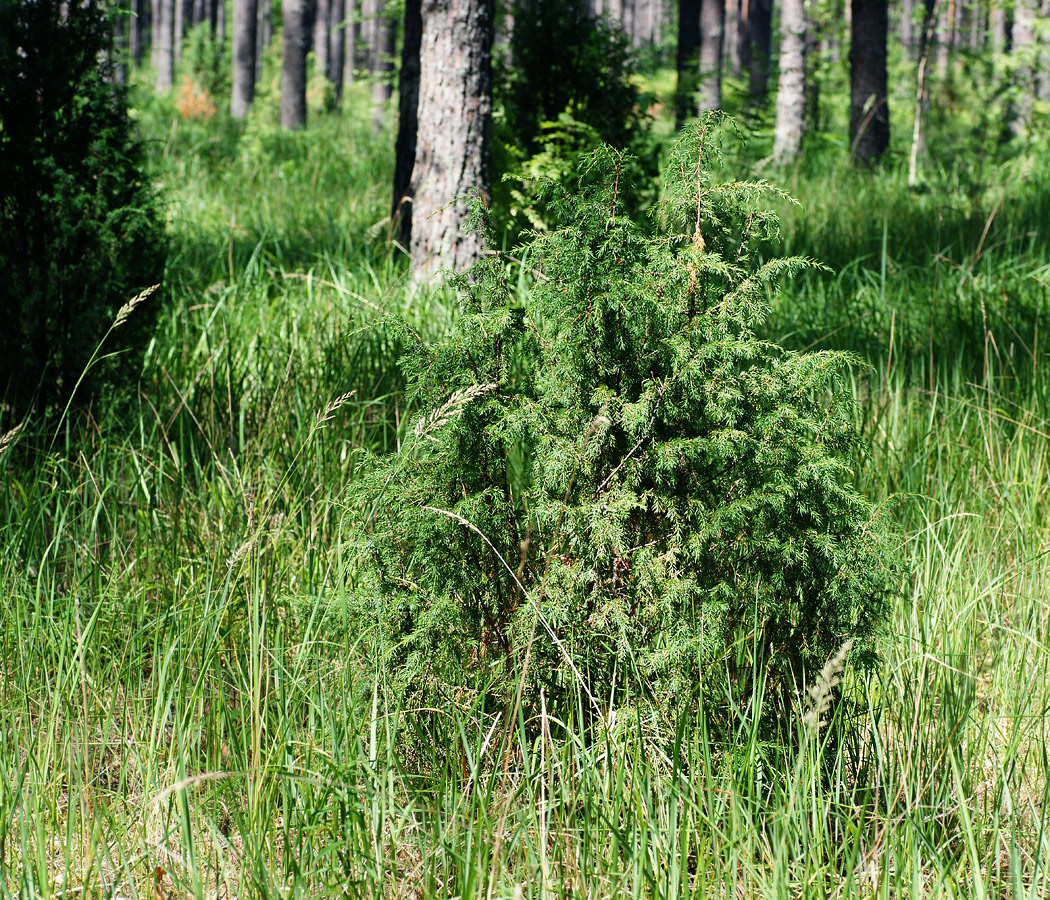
869, 104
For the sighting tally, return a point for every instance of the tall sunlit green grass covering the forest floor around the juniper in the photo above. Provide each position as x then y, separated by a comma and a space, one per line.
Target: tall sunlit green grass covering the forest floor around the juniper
176, 720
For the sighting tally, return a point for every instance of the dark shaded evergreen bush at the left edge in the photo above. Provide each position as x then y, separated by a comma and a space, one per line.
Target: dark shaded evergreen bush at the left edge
79, 227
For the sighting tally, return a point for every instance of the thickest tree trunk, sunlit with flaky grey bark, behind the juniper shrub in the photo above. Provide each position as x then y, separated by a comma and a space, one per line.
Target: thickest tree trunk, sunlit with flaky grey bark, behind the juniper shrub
455, 120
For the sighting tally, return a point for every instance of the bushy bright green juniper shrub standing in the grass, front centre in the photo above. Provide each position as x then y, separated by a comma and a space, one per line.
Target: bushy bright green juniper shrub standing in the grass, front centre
617, 494
